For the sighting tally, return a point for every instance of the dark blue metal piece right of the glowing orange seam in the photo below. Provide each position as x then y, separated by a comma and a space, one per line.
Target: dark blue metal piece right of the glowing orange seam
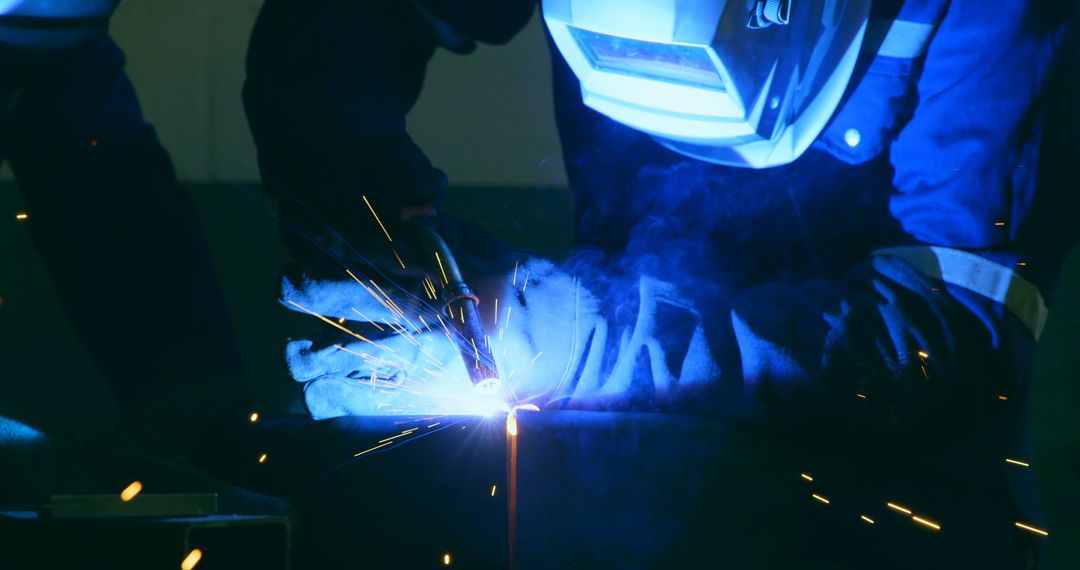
649, 491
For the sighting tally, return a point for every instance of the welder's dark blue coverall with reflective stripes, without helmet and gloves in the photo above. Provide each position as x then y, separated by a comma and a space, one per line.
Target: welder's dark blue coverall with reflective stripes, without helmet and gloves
902, 370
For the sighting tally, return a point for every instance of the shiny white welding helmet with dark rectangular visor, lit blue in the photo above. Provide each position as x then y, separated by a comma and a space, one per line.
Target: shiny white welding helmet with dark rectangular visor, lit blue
737, 83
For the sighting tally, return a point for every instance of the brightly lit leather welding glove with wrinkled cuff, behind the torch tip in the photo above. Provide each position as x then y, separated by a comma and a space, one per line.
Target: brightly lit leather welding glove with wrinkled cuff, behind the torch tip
549, 338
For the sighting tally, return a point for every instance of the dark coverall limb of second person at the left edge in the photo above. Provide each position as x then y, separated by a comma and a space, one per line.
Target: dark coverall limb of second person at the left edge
118, 236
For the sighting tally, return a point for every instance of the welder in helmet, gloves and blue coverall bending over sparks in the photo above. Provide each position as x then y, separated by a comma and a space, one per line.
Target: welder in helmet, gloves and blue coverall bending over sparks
832, 220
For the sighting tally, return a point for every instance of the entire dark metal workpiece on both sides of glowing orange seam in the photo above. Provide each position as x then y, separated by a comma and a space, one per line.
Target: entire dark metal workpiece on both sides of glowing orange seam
588, 491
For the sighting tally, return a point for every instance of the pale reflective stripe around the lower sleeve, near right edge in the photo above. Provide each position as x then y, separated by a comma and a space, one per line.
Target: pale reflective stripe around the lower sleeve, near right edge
980, 276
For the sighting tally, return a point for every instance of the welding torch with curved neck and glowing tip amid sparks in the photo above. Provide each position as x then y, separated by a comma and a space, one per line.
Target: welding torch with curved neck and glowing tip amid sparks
460, 306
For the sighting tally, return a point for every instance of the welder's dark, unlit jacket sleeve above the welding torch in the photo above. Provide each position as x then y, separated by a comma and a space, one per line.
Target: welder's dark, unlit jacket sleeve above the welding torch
329, 86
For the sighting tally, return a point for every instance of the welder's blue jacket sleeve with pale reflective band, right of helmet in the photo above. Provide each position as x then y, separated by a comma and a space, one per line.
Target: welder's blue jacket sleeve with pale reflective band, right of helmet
923, 338
